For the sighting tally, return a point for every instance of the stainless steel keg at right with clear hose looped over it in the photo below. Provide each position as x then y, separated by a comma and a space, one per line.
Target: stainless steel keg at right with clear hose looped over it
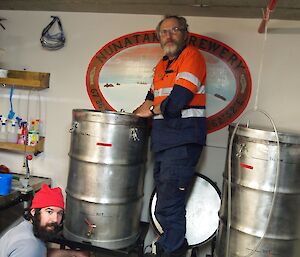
254, 161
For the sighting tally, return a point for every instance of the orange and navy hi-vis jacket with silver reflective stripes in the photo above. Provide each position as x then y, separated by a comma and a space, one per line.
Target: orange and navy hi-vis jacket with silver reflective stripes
179, 86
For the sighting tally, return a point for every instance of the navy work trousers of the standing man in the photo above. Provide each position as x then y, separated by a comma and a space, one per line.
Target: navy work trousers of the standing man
174, 170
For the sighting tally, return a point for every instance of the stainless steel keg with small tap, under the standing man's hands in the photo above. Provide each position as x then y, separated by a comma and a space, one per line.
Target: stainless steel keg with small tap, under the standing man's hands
106, 174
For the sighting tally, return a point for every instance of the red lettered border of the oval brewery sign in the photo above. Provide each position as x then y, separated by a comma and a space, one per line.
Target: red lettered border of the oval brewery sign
220, 50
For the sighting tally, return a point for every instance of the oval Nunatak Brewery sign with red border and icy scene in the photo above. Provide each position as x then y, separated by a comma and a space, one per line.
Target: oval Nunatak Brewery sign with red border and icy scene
120, 74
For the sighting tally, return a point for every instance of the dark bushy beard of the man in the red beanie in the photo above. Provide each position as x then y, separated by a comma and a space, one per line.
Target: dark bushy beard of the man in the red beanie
46, 232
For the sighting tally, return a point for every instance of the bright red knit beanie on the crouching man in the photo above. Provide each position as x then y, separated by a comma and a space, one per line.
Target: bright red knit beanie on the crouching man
47, 197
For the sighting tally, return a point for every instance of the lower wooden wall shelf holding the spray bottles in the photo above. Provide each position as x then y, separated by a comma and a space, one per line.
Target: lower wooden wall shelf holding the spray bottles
21, 148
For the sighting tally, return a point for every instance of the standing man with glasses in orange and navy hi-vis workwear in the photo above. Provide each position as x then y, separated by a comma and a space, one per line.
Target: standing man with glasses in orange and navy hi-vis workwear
176, 102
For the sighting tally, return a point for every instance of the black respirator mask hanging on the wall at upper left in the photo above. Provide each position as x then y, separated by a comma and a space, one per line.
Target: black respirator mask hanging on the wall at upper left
56, 40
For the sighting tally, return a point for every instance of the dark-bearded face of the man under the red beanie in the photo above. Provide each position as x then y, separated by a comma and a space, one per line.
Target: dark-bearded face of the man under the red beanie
46, 223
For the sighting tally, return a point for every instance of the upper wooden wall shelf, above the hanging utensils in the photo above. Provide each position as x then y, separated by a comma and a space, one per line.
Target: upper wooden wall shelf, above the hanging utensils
26, 79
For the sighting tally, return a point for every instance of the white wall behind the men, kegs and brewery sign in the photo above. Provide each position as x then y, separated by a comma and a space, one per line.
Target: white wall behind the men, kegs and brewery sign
86, 33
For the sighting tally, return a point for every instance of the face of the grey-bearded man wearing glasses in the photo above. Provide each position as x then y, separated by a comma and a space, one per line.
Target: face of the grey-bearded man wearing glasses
172, 37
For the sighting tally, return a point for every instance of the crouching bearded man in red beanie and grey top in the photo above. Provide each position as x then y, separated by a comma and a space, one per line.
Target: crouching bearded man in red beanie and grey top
42, 223
